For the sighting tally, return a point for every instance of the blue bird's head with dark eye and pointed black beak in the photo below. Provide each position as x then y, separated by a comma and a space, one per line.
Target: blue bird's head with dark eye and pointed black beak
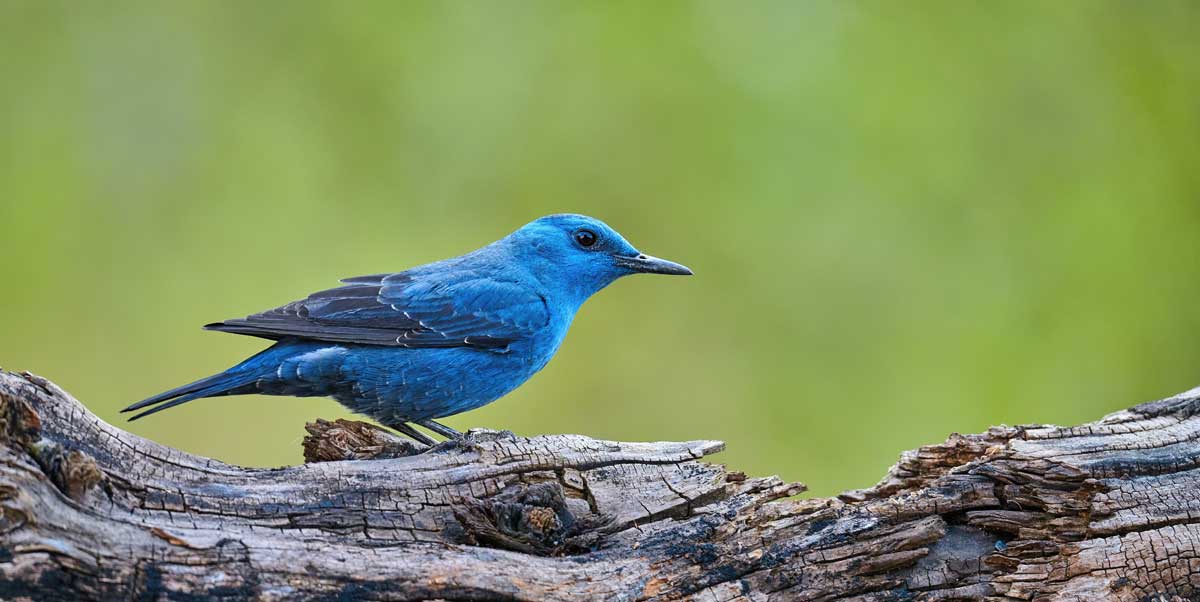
580, 255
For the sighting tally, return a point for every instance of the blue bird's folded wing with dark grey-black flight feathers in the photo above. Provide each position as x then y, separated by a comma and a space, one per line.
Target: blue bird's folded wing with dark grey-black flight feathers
406, 310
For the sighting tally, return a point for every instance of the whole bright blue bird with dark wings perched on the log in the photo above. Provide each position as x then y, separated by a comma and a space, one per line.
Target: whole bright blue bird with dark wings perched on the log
434, 341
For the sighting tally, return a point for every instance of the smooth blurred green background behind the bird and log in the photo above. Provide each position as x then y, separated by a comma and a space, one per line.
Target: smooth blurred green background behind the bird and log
904, 222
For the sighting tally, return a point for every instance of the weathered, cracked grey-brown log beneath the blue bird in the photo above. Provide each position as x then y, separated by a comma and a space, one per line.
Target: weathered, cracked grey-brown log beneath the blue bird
1105, 511
